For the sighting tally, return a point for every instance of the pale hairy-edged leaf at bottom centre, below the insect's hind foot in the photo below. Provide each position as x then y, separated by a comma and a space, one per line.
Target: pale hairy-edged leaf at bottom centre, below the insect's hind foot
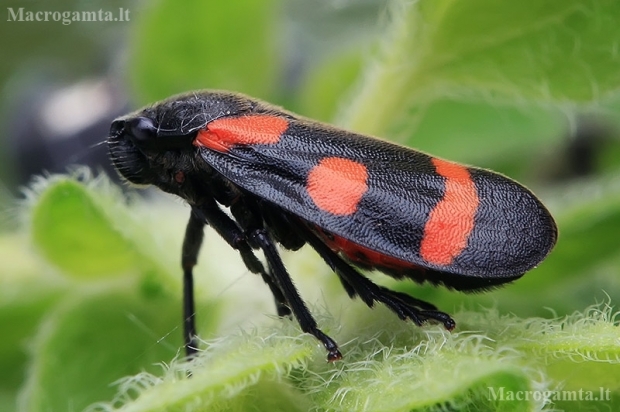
441, 370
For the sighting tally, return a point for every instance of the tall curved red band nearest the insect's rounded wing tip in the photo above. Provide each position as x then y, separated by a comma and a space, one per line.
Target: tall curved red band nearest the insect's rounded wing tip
452, 220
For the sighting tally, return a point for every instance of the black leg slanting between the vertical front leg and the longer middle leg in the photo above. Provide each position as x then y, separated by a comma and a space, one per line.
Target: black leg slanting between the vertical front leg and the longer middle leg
232, 234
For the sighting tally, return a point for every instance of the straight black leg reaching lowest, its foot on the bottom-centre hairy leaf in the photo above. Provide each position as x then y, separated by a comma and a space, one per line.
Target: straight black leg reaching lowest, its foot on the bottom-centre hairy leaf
297, 305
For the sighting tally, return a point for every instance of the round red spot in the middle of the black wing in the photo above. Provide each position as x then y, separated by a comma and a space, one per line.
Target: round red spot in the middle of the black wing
336, 185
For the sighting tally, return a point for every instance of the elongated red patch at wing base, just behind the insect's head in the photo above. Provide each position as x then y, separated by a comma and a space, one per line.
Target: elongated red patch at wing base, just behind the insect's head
221, 134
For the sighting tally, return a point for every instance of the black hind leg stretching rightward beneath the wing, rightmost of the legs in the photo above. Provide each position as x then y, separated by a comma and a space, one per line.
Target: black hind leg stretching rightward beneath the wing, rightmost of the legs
405, 306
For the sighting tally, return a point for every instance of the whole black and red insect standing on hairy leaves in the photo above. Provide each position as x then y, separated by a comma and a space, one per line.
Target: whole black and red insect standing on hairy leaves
357, 200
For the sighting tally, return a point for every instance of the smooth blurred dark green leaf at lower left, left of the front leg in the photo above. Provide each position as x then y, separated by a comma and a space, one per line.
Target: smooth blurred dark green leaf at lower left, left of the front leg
94, 338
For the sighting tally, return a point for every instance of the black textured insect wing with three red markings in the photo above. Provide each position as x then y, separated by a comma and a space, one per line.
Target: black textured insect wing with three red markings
387, 198
